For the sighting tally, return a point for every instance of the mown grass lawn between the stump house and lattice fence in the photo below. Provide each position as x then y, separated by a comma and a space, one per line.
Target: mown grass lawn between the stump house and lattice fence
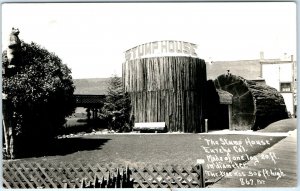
140, 150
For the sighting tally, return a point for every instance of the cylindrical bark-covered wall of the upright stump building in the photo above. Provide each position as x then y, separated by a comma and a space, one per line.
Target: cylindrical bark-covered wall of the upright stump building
167, 89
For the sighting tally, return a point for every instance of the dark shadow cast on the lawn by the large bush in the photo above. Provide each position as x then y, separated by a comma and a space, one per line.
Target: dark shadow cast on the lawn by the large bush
63, 147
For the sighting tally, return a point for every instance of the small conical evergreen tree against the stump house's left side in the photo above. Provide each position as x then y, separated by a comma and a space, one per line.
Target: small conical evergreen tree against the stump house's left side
117, 106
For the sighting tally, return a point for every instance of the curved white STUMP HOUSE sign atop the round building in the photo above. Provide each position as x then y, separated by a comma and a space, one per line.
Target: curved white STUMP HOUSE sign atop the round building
162, 48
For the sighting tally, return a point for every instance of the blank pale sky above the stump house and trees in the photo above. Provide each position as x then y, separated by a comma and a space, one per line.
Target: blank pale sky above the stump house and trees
91, 38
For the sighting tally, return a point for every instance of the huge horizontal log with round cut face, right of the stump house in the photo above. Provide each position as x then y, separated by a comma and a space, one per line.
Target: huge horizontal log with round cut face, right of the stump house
254, 106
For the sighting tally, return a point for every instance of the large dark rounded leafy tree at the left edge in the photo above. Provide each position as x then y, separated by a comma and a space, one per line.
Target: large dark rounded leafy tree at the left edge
39, 95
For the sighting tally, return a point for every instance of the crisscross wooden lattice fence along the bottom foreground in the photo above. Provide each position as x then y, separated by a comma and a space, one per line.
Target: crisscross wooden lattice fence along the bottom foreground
77, 175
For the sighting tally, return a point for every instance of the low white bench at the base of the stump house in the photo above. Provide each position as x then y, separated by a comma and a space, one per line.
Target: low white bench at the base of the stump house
150, 127
